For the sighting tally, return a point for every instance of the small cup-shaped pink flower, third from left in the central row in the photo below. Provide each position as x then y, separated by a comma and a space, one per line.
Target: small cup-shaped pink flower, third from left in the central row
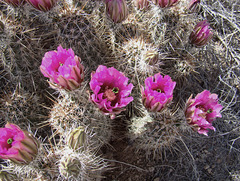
158, 92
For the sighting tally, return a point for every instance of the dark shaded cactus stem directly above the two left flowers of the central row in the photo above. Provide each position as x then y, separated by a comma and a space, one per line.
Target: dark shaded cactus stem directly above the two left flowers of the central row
75, 31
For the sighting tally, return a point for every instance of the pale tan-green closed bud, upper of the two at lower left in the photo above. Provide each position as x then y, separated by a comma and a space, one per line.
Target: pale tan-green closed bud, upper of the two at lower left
77, 138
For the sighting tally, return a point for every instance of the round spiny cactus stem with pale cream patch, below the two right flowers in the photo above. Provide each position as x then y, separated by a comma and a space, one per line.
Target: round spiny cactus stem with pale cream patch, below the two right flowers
154, 133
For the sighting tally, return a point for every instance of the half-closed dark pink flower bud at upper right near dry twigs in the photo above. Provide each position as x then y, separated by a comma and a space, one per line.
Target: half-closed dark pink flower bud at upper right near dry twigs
201, 34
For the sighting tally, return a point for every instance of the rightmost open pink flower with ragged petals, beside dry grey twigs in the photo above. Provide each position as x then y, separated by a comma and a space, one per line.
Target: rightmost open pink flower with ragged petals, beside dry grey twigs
202, 111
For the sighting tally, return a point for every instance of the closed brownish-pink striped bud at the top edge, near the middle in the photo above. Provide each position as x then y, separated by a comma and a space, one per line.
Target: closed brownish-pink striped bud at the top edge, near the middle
116, 10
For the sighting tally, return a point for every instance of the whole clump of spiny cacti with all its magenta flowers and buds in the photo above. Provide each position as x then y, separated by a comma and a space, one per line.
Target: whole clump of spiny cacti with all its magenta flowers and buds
85, 74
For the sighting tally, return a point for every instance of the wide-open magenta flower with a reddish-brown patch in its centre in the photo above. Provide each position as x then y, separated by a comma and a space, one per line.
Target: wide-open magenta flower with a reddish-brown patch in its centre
110, 90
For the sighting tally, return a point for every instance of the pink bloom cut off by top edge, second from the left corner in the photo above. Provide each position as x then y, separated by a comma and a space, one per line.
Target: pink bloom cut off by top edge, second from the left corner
42, 5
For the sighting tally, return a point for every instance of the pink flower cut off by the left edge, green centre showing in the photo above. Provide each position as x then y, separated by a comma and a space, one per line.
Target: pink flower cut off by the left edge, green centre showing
17, 145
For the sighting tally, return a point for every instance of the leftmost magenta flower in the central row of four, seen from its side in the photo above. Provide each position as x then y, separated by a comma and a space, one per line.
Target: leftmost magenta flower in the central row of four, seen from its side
63, 68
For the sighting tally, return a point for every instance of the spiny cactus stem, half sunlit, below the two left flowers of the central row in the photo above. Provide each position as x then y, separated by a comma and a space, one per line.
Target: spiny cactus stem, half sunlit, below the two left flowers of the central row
72, 111
